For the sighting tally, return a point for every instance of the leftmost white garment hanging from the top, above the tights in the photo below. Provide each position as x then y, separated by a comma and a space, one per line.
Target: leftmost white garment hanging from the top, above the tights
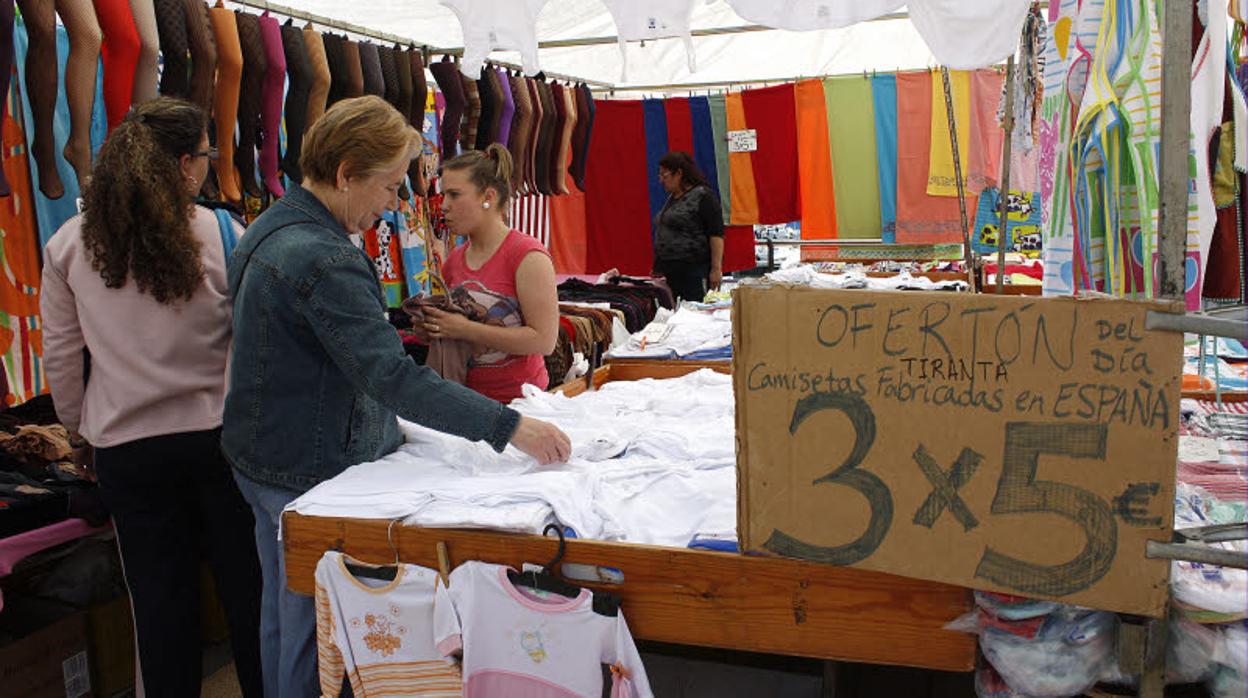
499, 24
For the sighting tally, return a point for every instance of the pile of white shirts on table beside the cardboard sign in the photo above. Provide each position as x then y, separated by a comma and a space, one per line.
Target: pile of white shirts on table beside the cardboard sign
652, 463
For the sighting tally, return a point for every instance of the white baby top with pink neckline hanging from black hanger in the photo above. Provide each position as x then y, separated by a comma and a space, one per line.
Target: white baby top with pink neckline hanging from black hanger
524, 642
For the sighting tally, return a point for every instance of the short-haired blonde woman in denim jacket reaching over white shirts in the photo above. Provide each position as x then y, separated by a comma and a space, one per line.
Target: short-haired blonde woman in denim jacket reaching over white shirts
319, 375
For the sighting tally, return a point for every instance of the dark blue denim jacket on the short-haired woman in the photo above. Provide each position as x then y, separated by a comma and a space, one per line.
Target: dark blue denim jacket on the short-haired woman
319, 374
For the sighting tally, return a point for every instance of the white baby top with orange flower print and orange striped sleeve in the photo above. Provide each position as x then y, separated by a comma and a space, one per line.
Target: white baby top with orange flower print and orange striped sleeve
380, 634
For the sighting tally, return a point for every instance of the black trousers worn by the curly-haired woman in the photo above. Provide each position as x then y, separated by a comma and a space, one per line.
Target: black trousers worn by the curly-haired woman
170, 499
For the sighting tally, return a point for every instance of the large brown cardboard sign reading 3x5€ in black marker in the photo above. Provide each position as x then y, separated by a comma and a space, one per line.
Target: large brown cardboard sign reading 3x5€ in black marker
1019, 445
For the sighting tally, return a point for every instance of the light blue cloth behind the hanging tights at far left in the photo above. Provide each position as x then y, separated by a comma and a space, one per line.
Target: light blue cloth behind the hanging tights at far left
52, 214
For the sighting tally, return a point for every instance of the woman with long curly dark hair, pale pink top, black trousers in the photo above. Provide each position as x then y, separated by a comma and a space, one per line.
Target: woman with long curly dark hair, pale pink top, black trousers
138, 283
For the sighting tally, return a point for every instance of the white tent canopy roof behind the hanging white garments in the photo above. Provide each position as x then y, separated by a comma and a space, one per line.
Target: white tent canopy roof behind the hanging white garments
722, 59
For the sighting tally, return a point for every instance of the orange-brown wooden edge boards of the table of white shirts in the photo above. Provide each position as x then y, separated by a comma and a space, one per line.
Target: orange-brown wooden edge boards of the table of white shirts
681, 596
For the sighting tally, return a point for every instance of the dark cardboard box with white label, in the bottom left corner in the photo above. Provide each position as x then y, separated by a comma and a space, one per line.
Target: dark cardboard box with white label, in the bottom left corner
49, 661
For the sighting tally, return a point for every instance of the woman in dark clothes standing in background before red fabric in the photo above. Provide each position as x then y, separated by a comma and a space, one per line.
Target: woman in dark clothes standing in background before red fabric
690, 230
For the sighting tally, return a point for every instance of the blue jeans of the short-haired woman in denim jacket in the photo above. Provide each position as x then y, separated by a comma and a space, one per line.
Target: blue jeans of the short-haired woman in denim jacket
288, 620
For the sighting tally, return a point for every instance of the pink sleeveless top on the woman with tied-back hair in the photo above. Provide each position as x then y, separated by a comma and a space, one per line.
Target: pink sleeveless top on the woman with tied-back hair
490, 294
